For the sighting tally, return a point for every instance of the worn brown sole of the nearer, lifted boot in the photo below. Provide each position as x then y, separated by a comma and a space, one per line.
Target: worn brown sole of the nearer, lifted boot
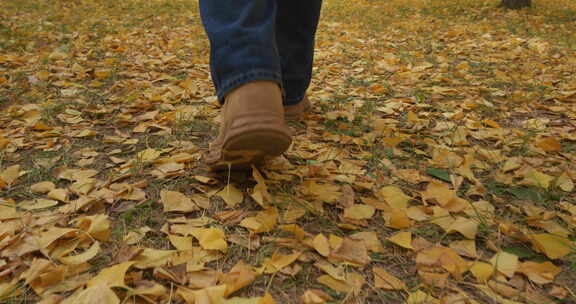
239, 152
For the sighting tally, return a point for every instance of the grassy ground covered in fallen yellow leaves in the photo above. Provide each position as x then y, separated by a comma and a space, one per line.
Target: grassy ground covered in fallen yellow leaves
438, 165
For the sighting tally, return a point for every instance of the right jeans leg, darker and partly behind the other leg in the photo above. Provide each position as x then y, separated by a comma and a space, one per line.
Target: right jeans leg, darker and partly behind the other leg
296, 23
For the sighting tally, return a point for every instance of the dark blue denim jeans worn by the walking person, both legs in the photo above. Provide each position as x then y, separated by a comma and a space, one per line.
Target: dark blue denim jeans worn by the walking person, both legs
261, 40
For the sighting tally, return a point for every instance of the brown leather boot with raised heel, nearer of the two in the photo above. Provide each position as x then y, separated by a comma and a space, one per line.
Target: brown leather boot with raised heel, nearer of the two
252, 127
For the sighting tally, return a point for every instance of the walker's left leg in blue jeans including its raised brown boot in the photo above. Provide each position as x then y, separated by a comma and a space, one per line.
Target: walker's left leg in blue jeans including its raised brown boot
246, 72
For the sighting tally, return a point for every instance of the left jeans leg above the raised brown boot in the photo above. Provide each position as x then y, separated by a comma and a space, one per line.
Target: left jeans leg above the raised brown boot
242, 42
